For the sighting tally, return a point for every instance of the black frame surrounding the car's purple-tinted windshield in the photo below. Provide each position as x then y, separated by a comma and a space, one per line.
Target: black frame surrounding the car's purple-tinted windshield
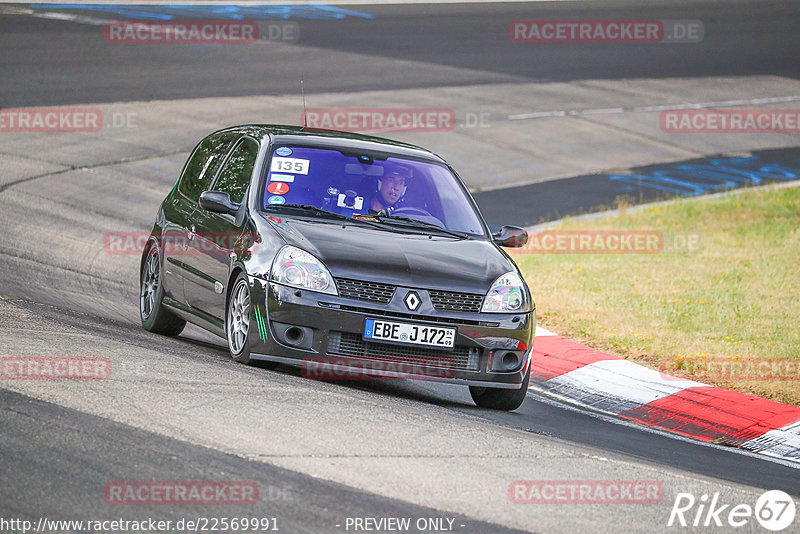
381, 221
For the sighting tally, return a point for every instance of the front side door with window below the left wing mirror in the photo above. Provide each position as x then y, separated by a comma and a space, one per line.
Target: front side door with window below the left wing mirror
214, 235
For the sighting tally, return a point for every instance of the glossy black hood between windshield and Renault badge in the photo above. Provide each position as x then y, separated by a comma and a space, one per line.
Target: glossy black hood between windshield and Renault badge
408, 259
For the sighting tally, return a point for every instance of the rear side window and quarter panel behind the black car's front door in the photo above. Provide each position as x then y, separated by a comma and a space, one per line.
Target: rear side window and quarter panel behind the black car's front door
181, 203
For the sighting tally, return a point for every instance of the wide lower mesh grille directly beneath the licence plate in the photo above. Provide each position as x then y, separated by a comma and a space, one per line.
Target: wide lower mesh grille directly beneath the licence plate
347, 344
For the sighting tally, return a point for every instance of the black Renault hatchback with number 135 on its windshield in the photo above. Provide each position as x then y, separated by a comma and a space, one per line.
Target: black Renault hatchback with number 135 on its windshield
344, 254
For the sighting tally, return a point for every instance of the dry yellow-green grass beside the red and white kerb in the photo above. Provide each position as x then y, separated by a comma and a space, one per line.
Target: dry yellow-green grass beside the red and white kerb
735, 297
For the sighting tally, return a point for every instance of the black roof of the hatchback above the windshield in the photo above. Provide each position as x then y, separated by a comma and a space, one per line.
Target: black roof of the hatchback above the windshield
281, 133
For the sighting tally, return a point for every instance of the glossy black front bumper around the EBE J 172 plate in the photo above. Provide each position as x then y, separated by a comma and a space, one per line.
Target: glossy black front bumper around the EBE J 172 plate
324, 335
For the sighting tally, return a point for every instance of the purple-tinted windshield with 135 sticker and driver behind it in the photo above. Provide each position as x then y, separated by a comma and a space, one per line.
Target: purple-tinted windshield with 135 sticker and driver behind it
389, 189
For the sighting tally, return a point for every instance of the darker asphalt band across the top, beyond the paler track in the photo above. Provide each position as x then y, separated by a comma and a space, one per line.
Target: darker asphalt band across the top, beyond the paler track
744, 38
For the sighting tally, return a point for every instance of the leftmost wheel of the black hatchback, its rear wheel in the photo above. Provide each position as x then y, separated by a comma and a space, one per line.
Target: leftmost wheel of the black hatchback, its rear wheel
155, 317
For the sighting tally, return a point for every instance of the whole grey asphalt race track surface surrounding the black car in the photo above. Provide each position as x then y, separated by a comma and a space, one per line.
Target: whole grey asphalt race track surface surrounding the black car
323, 452
